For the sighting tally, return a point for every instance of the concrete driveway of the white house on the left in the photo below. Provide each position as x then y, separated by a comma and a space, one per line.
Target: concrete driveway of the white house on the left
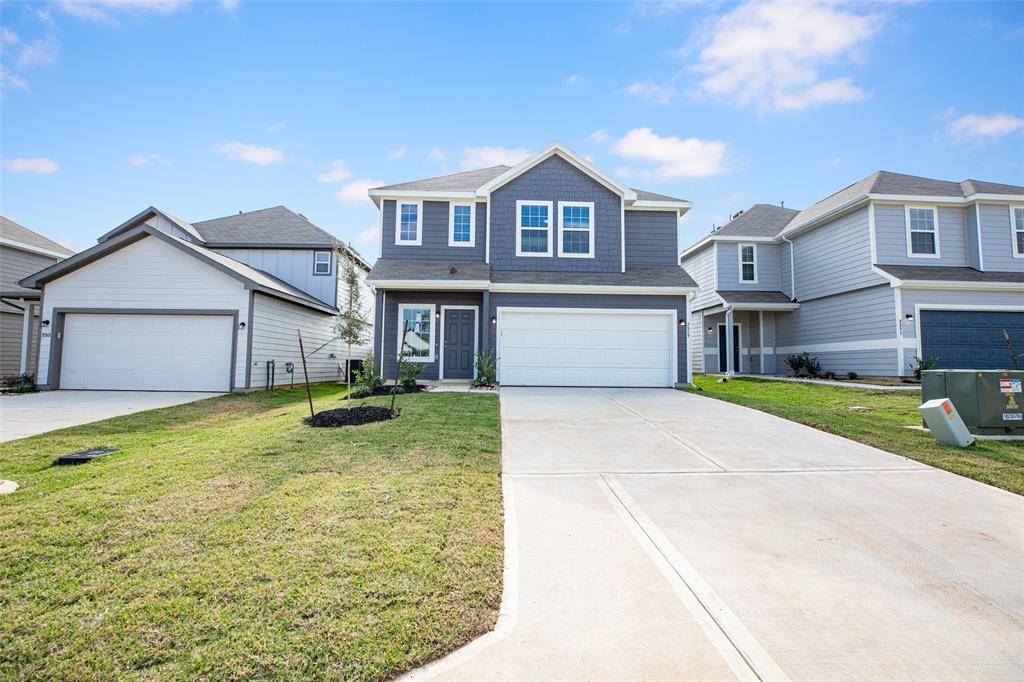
23, 416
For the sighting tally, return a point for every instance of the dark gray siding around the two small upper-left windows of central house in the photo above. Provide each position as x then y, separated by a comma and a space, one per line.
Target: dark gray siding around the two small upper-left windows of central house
435, 240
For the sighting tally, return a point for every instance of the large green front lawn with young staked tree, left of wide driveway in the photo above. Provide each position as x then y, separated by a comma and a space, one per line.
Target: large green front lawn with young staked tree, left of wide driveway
228, 540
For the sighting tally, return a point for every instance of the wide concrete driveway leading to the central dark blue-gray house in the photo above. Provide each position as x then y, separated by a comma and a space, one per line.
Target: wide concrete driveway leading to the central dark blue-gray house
659, 535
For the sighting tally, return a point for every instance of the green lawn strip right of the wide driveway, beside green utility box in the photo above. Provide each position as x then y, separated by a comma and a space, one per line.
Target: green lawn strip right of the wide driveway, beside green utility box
828, 408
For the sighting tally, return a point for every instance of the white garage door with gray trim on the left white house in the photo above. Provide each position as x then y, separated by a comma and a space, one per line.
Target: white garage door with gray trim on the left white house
147, 353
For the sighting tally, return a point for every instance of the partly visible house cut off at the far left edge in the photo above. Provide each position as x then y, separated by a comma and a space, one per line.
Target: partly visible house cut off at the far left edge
22, 252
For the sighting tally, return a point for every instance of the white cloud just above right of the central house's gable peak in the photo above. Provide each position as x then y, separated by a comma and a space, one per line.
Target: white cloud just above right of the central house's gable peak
671, 158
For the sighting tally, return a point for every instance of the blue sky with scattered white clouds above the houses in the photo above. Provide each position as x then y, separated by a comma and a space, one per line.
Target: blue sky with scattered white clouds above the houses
207, 109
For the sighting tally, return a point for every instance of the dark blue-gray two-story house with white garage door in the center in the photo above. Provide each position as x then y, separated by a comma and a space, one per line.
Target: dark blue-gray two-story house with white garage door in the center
568, 276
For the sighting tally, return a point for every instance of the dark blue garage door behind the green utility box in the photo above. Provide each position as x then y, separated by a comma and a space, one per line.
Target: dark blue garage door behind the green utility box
970, 339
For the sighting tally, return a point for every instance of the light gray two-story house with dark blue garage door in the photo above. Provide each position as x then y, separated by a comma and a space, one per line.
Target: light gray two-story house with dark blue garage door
892, 268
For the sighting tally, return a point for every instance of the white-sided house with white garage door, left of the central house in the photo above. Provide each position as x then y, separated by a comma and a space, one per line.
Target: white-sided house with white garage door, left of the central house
163, 305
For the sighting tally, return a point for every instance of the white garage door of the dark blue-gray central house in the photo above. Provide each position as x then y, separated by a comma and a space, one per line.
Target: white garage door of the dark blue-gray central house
586, 348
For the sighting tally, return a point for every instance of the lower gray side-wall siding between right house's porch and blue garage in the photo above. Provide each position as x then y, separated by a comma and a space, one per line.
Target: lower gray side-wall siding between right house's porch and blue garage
865, 315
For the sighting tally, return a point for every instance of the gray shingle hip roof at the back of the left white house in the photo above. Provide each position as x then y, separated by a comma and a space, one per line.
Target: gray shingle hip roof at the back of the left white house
272, 227
